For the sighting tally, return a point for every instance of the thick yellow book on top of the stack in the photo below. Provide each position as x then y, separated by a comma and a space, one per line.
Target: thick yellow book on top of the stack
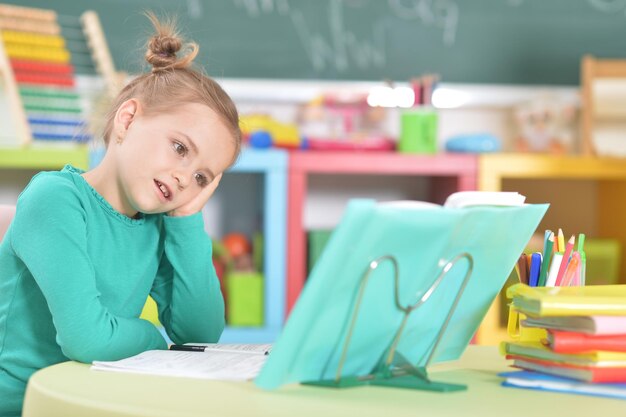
607, 300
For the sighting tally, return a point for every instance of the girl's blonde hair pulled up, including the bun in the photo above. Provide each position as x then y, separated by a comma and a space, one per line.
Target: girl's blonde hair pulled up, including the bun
173, 82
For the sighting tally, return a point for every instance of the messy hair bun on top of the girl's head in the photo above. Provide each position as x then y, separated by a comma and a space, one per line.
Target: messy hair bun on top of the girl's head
164, 45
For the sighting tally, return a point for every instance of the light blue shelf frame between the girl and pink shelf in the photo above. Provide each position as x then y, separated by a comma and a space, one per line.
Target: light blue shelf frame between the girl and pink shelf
272, 164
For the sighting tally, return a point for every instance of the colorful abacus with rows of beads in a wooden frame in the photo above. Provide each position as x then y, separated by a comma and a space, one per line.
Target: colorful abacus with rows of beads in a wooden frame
39, 71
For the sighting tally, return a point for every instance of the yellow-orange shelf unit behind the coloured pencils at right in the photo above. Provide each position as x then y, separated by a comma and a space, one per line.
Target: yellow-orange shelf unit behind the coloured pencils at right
586, 195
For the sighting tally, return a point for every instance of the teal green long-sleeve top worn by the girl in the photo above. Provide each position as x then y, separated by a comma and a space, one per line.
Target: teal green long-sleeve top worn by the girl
75, 274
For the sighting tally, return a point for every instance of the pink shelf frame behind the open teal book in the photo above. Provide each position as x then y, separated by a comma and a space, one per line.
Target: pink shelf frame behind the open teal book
450, 172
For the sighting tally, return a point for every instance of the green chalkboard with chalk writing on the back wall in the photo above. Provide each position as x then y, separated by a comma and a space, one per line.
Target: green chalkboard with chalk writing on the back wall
465, 41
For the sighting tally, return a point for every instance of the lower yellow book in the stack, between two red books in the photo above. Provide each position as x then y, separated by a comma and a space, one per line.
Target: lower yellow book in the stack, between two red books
536, 350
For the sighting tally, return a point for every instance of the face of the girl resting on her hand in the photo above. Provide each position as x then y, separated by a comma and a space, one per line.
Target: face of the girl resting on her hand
165, 160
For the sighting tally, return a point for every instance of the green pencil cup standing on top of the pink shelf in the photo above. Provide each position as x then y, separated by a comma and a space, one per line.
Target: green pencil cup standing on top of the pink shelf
418, 131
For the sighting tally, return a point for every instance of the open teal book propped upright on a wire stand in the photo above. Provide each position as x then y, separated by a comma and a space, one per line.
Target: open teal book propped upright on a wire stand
398, 288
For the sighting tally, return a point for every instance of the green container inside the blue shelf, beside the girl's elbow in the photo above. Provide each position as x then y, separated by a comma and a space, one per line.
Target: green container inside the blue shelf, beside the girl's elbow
245, 298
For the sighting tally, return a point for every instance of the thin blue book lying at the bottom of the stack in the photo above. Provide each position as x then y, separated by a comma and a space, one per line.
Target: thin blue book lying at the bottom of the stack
545, 382
